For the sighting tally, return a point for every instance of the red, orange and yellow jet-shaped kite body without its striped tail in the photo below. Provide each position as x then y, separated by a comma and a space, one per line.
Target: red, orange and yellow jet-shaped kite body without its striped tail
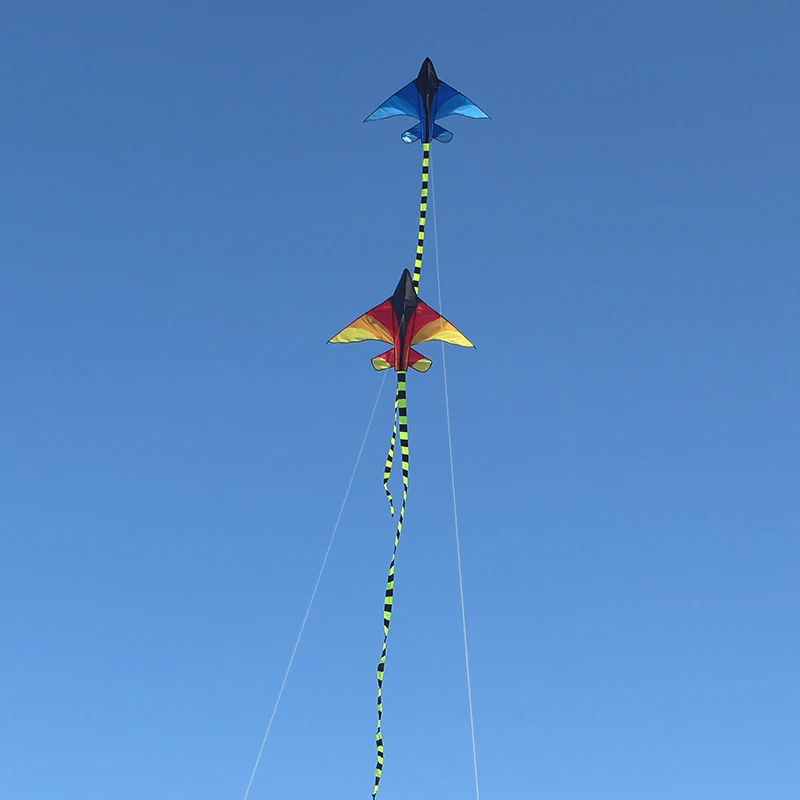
402, 321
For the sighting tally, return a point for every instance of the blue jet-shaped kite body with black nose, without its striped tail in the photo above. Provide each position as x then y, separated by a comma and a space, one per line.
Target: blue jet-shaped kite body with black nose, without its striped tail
427, 98
